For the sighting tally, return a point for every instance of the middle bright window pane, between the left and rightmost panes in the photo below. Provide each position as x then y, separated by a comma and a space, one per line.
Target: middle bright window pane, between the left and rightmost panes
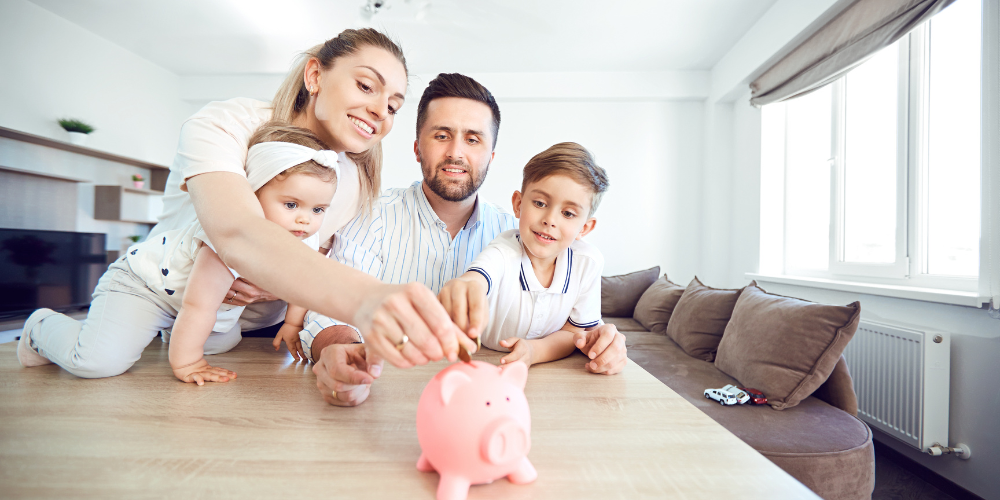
870, 158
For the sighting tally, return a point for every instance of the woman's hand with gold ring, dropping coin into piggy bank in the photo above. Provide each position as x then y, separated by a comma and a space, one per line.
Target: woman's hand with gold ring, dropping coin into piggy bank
413, 313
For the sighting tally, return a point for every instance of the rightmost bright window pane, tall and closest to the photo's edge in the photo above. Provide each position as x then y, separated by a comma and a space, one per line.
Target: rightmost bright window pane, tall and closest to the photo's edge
953, 150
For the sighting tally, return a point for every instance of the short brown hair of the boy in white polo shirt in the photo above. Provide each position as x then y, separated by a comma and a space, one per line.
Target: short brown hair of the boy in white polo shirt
573, 161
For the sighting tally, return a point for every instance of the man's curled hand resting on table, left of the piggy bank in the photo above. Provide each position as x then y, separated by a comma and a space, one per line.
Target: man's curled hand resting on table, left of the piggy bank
345, 373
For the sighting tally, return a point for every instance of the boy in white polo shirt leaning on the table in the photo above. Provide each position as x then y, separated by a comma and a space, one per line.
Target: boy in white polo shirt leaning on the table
542, 281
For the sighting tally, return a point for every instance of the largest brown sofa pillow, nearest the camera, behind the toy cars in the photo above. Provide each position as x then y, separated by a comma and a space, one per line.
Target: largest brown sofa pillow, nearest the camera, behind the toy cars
783, 346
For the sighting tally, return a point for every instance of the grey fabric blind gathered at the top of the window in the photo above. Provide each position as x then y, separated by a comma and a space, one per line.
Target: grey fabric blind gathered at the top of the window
861, 30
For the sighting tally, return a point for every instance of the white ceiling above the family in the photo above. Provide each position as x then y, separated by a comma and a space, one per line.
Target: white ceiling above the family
226, 37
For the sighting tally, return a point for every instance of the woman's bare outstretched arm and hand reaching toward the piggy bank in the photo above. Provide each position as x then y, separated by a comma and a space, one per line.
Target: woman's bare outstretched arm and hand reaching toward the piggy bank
276, 261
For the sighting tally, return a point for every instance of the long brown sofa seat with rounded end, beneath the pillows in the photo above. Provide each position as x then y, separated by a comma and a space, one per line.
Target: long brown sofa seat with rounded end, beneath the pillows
825, 448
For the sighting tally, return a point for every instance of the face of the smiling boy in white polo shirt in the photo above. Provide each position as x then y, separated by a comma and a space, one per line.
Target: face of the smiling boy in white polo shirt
553, 212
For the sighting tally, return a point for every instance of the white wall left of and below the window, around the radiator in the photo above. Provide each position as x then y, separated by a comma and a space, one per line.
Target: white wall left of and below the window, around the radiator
733, 131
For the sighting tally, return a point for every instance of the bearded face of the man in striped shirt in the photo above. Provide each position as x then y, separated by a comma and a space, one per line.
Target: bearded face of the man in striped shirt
455, 147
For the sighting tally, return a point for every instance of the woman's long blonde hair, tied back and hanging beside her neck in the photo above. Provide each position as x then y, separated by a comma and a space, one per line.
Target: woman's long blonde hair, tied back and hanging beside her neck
293, 96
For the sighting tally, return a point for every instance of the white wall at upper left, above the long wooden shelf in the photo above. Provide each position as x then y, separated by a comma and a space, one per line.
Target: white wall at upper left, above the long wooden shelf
53, 69
